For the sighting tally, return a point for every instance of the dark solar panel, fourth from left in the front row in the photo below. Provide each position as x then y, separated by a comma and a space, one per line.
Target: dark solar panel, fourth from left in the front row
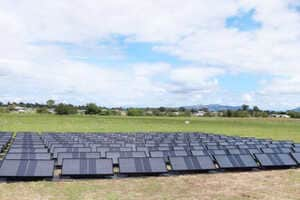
191, 163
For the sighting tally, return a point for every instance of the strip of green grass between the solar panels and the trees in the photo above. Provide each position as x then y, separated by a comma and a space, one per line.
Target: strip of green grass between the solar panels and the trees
279, 129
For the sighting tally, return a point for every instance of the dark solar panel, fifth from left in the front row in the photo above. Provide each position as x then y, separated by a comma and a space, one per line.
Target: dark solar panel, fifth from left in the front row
235, 161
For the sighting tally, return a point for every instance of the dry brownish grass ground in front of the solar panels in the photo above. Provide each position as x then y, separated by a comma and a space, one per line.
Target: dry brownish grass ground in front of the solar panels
262, 185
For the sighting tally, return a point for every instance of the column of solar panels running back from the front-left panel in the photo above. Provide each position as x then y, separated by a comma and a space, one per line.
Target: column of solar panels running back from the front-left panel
27, 158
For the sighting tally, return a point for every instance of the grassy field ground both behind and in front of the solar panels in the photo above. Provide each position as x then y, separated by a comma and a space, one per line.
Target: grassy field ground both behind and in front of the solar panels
277, 184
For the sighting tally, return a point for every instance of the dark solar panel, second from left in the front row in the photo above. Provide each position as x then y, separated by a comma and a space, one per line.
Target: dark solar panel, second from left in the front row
87, 167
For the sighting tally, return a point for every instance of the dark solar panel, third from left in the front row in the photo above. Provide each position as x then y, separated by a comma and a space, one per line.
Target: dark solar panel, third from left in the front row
142, 166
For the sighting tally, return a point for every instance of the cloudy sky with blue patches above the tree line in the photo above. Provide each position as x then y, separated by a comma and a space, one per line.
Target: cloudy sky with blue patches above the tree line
151, 52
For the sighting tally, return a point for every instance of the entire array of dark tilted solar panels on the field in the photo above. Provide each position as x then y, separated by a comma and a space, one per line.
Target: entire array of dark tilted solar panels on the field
33, 155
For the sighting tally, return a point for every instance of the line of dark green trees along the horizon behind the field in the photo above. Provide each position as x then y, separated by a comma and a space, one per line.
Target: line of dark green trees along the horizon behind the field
93, 109
